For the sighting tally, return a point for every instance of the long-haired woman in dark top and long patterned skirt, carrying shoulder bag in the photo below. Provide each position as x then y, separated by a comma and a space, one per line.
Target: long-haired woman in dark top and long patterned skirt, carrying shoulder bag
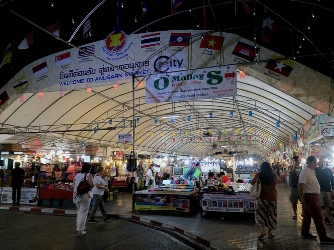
266, 211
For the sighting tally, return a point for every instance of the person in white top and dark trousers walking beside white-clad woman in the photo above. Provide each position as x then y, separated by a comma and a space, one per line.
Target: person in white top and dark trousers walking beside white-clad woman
99, 188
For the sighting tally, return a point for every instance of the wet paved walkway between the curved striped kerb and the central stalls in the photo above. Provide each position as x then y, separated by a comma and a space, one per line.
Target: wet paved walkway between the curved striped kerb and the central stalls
225, 230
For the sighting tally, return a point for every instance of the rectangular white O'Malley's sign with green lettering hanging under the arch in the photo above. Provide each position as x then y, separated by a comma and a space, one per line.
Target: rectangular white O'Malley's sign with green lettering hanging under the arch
192, 84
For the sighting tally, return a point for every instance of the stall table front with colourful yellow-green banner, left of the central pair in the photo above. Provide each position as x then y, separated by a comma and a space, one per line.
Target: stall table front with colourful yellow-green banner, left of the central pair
173, 200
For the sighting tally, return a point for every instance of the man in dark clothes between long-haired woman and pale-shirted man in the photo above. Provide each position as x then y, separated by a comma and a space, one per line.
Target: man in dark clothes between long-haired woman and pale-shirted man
294, 171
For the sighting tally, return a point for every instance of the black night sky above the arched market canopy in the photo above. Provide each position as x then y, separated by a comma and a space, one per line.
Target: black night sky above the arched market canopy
227, 16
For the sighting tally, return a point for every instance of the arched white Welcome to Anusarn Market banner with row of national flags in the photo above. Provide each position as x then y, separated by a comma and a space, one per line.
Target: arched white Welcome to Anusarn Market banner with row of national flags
154, 55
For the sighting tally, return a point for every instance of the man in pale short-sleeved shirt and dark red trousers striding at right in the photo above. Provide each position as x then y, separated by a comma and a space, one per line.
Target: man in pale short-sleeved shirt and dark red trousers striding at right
309, 189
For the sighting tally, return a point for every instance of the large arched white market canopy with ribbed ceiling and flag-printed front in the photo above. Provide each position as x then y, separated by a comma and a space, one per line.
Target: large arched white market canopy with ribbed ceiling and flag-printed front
85, 95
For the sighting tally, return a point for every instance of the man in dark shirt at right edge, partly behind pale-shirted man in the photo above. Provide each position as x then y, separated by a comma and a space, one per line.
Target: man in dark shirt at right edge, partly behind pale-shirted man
326, 182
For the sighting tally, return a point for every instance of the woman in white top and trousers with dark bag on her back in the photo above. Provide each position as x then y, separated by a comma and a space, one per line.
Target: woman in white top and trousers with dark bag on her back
82, 201
